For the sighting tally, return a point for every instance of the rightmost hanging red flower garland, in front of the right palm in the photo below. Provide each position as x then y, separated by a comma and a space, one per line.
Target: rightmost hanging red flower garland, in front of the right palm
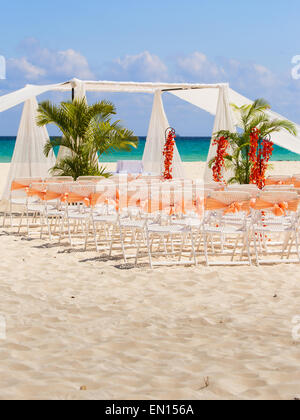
259, 155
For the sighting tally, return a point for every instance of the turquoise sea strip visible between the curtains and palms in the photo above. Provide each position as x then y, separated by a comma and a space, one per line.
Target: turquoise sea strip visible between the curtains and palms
191, 149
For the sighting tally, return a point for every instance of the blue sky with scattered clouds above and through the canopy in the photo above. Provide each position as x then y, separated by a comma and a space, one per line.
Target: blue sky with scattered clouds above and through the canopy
248, 44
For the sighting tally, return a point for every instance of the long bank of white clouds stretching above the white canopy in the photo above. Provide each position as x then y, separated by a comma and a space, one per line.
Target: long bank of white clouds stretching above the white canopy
43, 65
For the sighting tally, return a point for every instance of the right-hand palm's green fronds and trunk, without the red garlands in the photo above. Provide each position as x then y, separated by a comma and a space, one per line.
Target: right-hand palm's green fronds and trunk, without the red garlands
250, 117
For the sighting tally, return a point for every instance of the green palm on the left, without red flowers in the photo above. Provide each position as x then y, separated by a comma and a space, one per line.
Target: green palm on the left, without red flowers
88, 132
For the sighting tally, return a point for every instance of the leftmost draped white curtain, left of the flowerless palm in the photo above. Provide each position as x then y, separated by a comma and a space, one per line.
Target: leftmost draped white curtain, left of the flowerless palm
29, 159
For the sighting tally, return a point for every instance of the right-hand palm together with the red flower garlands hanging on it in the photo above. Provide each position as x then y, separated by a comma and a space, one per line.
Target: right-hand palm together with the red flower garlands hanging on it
248, 151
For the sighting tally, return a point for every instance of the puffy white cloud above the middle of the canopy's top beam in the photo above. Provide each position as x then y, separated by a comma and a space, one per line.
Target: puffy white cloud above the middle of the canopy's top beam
141, 67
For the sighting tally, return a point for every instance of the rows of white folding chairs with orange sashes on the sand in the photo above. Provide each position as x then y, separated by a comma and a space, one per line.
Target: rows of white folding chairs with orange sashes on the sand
250, 235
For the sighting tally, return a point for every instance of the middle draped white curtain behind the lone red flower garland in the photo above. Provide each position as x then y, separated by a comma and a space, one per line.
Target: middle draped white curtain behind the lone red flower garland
153, 159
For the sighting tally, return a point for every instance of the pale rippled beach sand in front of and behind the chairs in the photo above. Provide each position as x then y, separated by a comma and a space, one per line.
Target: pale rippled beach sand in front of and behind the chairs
76, 320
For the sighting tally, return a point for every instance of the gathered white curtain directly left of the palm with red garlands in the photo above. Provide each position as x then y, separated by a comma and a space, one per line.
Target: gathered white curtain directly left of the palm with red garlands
223, 121
